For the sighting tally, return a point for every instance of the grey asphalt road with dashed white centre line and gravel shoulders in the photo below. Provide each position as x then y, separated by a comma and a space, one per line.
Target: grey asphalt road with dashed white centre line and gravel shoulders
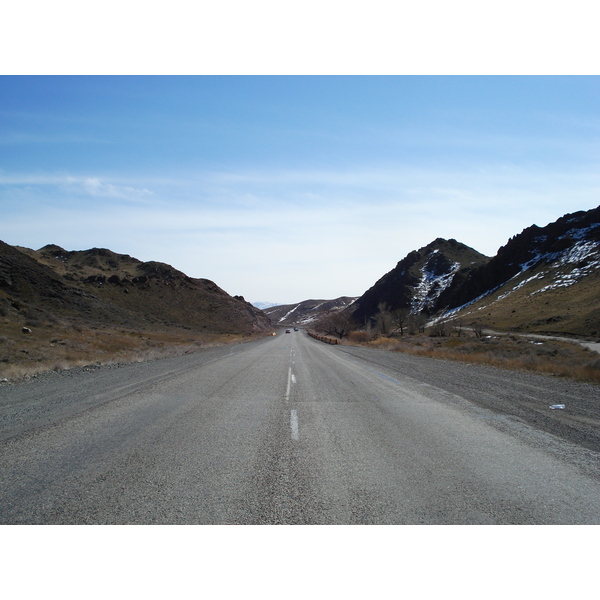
289, 430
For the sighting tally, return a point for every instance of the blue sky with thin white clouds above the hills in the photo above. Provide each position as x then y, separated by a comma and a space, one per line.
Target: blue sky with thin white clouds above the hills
284, 188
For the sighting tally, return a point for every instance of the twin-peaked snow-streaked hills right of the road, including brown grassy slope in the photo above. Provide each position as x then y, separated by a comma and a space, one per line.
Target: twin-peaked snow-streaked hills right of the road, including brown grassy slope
544, 280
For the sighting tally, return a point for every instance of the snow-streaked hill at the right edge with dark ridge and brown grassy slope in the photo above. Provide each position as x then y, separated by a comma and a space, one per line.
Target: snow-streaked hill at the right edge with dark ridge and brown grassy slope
544, 280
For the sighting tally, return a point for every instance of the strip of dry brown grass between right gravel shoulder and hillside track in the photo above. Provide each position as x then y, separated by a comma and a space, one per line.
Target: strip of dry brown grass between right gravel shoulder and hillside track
562, 359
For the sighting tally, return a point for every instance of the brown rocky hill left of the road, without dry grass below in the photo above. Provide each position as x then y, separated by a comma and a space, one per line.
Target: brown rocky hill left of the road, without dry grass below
99, 287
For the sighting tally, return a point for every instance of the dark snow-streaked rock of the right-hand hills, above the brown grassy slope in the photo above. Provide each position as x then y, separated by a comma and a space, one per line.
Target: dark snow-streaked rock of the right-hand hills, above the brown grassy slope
447, 274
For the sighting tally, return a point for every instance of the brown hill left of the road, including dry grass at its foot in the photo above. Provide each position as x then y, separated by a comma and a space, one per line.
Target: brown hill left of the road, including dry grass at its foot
76, 306
